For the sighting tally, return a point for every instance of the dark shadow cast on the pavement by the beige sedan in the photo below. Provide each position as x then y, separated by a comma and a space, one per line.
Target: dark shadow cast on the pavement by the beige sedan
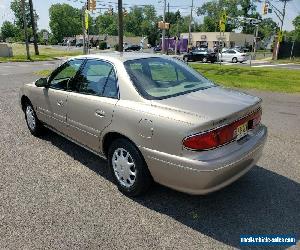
261, 202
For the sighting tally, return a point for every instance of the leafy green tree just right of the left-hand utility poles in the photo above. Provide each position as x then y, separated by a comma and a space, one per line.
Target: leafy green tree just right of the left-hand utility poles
64, 21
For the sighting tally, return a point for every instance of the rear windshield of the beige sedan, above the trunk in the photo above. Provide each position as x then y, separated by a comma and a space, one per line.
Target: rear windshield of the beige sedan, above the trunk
160, 78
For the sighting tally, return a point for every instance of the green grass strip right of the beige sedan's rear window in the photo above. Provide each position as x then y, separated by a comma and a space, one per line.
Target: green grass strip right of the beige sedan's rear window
268, 79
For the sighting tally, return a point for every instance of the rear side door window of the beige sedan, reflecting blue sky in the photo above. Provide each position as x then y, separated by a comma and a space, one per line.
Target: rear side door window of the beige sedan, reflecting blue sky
98, 78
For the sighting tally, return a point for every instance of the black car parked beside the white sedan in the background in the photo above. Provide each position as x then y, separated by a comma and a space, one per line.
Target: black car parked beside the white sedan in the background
201, 54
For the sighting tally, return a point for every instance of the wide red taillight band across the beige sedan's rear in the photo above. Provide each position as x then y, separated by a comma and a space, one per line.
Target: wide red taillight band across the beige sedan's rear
220, 136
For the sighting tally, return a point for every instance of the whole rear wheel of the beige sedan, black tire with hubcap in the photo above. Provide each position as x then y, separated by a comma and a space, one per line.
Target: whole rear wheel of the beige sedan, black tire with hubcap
128, 168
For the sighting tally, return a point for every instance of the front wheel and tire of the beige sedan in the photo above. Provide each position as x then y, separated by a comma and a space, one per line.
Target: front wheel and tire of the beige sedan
34, 125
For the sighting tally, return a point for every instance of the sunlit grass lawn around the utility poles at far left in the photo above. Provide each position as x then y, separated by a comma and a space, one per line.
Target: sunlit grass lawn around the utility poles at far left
46, 53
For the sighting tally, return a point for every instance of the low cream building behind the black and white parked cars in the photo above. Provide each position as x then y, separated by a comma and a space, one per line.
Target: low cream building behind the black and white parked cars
212, 39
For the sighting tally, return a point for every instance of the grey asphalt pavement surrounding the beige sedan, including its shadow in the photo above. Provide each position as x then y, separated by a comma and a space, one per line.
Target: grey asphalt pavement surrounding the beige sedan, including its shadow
54, 194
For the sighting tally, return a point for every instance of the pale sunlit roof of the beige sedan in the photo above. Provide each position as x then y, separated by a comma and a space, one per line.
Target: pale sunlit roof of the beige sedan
120, 56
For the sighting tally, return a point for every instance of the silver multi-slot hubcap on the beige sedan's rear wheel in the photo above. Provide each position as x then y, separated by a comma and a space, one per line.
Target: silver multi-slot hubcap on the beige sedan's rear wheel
124, 167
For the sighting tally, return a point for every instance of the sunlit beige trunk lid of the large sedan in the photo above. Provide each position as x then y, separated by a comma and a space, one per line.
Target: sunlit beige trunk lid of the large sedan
215, 105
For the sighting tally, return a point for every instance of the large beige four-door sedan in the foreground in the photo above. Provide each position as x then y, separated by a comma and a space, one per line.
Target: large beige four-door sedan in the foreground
152, 117
